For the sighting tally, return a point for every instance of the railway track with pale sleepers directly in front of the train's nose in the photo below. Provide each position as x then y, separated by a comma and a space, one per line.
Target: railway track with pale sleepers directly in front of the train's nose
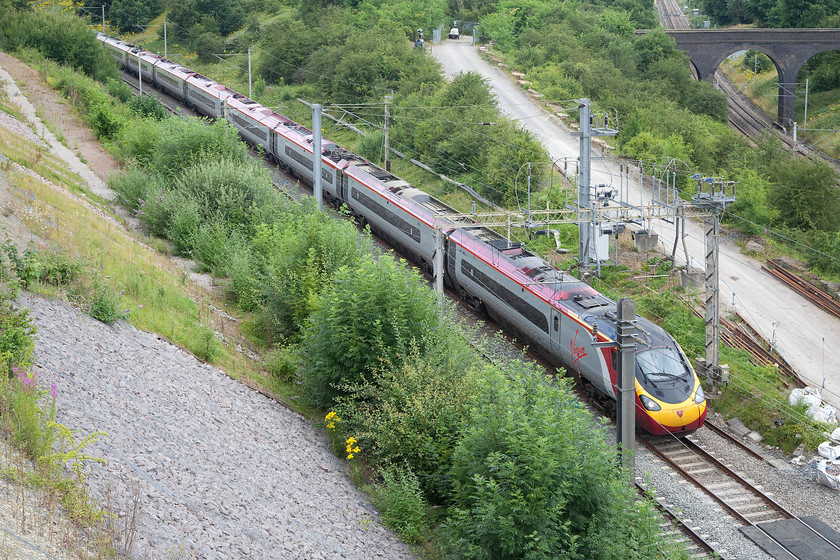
740, 497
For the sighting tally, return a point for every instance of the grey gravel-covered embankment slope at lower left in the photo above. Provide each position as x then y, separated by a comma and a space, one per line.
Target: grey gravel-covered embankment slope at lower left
224, 471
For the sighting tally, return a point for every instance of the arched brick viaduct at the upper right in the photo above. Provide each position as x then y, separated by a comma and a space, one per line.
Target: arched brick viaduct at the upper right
789, 49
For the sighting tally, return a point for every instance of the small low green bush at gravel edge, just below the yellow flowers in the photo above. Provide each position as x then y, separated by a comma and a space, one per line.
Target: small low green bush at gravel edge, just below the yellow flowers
400, 502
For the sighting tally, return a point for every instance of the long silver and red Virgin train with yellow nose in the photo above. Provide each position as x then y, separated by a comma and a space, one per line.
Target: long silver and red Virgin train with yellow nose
550, 310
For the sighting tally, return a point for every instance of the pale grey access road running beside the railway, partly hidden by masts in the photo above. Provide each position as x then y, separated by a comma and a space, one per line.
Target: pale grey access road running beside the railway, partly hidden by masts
806, 336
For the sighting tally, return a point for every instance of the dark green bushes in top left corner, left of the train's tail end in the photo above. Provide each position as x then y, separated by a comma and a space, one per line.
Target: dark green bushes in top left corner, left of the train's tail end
62, 38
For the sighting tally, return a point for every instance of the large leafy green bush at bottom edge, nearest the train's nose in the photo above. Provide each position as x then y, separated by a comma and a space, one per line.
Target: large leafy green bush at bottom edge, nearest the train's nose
532, 479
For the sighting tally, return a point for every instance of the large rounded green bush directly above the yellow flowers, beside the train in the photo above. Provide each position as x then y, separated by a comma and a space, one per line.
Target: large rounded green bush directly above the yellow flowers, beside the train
370, 314
